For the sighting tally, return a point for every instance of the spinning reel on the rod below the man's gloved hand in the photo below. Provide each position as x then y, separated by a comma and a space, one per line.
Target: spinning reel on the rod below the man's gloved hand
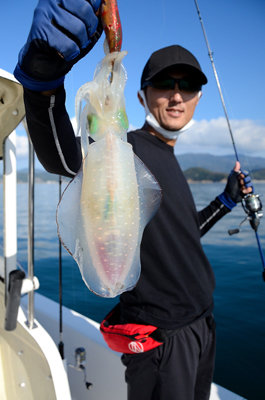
252, 206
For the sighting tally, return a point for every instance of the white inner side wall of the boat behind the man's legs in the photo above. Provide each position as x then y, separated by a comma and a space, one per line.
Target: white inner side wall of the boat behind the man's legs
103, 366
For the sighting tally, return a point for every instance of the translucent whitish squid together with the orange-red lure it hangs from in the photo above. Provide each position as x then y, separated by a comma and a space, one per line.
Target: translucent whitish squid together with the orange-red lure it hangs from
105, 208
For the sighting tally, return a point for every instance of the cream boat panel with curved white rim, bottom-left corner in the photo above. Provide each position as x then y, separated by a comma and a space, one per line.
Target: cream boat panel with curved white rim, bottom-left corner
30, 365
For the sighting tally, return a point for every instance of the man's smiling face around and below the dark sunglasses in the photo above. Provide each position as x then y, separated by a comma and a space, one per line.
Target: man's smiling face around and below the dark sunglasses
173, 108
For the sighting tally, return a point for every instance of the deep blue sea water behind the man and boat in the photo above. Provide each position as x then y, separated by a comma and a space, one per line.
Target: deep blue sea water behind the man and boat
239, 294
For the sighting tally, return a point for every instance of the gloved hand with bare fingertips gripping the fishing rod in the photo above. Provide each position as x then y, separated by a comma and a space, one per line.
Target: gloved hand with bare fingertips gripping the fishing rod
238, 184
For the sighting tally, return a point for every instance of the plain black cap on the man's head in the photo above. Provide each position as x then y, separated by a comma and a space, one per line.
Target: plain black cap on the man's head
169, 57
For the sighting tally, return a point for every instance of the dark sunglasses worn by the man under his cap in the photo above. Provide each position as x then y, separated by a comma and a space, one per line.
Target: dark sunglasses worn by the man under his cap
168, 83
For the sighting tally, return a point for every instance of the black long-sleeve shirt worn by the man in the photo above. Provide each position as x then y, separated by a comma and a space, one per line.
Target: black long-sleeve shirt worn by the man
177, 282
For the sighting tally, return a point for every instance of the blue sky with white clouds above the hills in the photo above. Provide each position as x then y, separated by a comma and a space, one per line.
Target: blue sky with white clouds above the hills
236, 32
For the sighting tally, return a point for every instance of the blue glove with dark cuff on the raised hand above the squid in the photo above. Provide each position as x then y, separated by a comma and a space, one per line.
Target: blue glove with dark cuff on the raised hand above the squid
62, 32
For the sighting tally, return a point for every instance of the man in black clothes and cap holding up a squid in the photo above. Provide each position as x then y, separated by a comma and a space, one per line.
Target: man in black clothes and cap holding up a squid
175, 289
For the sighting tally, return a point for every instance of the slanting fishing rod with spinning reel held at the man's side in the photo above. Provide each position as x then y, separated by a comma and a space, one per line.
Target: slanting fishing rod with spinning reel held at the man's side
251, 202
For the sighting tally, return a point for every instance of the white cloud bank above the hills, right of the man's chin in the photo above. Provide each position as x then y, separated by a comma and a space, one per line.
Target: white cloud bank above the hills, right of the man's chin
213, 137
